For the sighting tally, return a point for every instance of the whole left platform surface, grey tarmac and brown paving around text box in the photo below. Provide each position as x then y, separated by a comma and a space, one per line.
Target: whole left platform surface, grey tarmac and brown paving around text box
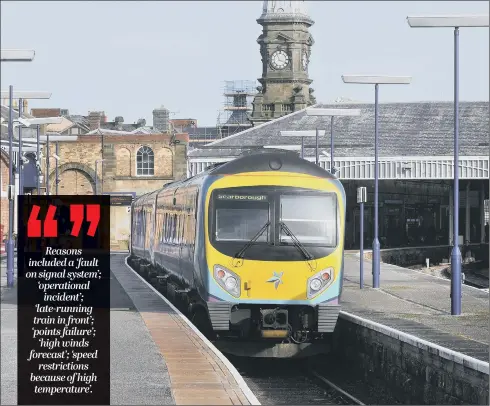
156, 358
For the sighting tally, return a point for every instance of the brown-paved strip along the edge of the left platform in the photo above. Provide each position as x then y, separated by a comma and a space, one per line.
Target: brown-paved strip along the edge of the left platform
196, 374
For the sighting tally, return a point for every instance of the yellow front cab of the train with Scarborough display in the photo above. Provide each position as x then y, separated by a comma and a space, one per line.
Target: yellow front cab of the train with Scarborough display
274, 297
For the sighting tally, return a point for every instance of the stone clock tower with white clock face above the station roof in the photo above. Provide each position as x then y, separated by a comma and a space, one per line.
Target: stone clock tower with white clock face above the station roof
285, 47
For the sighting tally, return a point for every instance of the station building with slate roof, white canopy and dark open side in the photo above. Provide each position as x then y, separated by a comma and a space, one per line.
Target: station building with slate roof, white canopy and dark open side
416, 166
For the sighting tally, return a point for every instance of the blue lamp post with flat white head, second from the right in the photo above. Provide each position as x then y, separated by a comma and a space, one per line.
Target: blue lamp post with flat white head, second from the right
376, 81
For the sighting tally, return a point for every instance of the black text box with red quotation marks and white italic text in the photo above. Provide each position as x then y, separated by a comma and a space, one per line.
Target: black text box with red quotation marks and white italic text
63, 300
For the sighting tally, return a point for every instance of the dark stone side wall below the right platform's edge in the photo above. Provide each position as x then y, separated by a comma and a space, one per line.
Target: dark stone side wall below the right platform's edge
415, 373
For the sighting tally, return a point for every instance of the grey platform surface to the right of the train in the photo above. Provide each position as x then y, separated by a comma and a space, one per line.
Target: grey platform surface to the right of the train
420, 305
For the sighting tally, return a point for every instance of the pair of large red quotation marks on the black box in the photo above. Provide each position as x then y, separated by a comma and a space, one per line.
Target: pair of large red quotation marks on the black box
77, 216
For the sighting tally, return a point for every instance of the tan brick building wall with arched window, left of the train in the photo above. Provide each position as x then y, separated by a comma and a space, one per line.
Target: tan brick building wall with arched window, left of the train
133, 164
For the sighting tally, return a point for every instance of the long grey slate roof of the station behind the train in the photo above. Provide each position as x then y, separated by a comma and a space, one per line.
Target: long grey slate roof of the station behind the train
405, 129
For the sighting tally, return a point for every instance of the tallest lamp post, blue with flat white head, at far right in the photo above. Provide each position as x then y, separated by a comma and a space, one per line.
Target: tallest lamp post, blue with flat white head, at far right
455, 22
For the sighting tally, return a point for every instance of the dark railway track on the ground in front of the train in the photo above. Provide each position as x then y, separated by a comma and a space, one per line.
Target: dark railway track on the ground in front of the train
290, 382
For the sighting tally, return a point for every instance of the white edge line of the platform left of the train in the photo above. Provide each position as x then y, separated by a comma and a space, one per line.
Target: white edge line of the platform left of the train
236, 375
